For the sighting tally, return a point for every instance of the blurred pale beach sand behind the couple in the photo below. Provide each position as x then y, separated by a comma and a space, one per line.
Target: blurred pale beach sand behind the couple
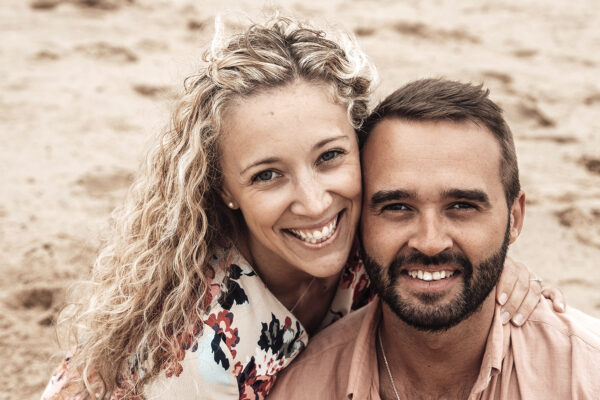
86, 84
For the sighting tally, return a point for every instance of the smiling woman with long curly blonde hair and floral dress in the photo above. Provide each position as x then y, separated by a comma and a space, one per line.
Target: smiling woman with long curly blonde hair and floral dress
238, 240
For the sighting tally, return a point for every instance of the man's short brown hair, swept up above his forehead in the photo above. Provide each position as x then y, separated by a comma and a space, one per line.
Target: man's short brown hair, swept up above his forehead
441, 99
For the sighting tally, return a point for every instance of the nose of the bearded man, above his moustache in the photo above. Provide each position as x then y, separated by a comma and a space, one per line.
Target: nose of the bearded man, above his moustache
431, 236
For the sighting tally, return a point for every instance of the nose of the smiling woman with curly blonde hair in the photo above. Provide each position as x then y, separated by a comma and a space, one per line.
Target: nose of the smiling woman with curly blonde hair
313, 197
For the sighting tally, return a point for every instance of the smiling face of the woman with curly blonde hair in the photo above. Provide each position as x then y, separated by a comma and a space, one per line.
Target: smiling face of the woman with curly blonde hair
290, 162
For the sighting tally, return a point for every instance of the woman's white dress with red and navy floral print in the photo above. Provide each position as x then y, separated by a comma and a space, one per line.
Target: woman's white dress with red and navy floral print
245, 338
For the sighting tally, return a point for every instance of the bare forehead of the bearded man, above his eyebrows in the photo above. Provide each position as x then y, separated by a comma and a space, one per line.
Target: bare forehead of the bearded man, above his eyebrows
422, 149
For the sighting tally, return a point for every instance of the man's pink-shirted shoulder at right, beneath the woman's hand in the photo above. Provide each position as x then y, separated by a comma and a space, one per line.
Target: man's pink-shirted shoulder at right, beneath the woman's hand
554, 354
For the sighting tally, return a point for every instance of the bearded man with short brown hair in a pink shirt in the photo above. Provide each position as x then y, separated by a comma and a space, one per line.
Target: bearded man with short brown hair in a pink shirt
441, 204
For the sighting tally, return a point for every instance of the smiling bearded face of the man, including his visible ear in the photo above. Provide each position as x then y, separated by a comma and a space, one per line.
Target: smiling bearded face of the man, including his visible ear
435, 225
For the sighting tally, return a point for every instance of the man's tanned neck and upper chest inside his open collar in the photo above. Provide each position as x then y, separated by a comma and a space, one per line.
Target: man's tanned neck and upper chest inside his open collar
433, 364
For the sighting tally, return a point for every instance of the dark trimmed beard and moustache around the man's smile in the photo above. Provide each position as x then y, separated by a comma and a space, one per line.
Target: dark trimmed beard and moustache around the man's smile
428, 316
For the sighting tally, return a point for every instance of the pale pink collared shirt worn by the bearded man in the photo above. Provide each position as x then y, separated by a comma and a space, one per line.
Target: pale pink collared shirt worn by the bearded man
552, 356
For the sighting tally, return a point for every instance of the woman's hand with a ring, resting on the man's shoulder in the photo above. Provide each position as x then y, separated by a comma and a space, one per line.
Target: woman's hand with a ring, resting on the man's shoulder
518, 291
